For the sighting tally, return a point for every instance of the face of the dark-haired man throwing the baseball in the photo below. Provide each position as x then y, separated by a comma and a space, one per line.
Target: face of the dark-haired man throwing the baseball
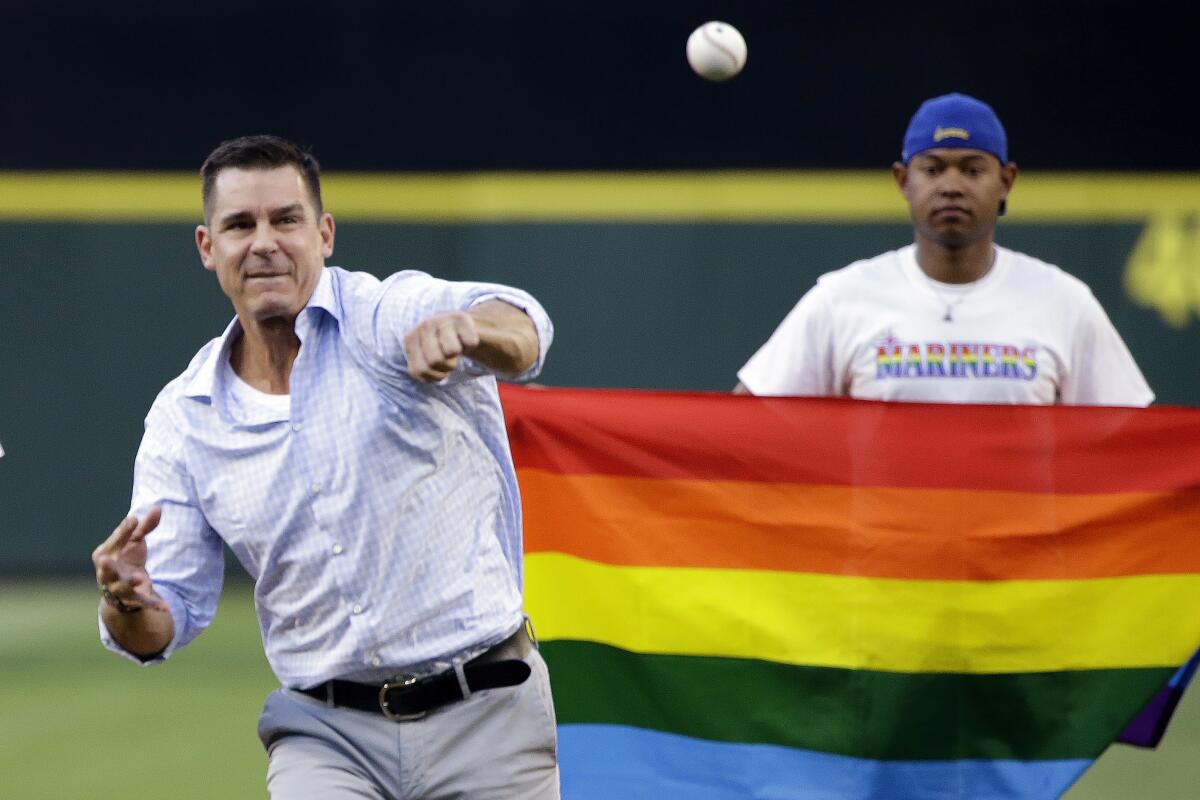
266, 242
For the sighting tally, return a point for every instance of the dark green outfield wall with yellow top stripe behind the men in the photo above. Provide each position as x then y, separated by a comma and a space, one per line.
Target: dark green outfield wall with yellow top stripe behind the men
667, 280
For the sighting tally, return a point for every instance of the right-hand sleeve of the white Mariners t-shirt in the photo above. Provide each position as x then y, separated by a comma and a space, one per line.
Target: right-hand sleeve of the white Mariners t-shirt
1102, 369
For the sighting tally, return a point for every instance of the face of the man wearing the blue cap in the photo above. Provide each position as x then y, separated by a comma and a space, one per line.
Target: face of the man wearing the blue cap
955, 194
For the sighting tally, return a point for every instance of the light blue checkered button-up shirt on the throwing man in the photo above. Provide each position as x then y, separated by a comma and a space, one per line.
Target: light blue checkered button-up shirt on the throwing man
379, 516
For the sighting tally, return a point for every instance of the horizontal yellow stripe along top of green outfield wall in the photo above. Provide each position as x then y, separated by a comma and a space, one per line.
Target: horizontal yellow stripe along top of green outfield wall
763, 196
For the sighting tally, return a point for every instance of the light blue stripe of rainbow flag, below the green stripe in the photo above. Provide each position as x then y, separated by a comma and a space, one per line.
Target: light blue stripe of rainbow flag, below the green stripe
602, 762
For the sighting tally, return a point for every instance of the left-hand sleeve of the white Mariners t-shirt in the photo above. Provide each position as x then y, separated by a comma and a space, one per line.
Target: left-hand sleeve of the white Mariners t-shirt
799, 357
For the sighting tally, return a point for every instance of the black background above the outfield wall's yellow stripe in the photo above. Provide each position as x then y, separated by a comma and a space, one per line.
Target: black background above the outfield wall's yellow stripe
603, 86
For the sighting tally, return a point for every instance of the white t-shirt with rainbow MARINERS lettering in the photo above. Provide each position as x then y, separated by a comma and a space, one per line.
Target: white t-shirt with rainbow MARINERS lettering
1027, 333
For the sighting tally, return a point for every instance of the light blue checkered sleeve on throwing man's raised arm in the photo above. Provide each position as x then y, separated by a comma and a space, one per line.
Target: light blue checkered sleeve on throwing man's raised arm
410, 298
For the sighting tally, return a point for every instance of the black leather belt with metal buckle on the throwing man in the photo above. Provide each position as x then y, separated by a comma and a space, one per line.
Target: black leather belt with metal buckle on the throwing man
406, 697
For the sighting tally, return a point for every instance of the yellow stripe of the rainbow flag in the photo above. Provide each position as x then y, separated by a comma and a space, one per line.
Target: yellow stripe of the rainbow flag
877, 624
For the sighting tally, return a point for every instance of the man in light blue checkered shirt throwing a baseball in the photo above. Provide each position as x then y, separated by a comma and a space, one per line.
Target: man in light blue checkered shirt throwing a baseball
345, 438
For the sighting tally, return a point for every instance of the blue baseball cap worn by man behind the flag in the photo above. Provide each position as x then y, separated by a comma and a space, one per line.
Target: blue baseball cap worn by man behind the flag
955, 121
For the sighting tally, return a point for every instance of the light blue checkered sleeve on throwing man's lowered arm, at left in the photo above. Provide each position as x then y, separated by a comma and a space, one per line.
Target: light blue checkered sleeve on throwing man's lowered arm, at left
185, 558
